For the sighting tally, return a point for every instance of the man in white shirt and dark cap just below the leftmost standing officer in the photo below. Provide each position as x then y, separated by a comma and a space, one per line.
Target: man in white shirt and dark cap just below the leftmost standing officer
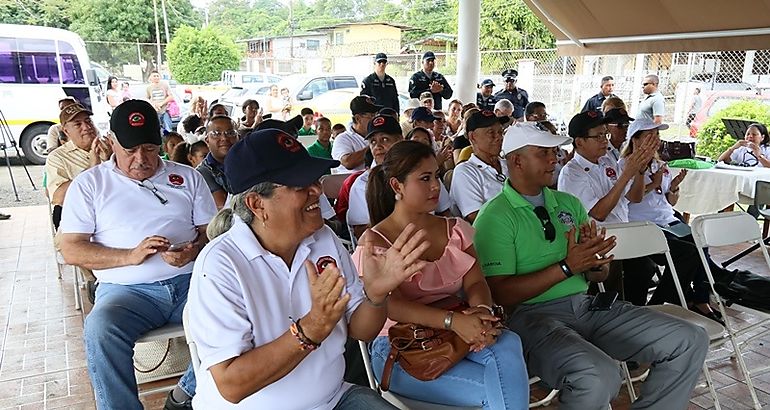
350, 147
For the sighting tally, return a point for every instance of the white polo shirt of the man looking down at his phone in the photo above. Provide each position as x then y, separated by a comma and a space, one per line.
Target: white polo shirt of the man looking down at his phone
119, 213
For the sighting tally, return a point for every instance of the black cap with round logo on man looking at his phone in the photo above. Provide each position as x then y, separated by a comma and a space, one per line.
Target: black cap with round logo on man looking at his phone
135, 122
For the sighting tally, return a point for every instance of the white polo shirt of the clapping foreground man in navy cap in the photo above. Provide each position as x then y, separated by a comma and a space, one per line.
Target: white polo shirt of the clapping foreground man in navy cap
241, 297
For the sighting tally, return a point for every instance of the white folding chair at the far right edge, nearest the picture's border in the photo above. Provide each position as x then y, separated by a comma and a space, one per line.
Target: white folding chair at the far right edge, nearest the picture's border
722, 229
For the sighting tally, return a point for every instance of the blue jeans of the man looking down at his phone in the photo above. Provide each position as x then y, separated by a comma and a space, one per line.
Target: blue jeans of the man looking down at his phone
121, 315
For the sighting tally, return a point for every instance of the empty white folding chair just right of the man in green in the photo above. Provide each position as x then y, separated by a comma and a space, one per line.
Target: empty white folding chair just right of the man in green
637, 239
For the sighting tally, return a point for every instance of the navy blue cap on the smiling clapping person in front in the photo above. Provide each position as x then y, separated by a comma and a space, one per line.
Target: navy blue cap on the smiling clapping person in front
271, 155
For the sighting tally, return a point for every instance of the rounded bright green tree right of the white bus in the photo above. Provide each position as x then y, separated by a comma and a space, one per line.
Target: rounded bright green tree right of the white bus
197, 56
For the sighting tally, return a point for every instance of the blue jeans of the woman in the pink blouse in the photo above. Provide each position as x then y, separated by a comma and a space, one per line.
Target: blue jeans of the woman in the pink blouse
494, 378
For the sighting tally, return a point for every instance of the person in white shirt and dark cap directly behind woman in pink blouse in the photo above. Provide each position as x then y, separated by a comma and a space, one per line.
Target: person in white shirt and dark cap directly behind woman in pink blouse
383, 133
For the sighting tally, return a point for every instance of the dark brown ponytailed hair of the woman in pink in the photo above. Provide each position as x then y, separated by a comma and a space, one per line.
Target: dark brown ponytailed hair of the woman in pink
399, 162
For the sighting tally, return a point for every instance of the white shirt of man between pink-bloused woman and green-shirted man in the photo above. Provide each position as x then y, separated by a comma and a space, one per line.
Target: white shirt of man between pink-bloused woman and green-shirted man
474, 182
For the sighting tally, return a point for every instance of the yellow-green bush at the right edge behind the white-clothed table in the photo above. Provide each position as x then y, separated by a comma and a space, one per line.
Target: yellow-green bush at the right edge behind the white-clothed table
713, 138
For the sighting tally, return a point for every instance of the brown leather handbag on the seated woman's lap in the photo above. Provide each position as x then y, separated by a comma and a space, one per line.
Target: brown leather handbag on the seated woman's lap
424, 352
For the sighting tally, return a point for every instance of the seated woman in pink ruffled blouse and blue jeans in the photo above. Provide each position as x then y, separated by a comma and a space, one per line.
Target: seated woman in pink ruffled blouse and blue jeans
403, 190
